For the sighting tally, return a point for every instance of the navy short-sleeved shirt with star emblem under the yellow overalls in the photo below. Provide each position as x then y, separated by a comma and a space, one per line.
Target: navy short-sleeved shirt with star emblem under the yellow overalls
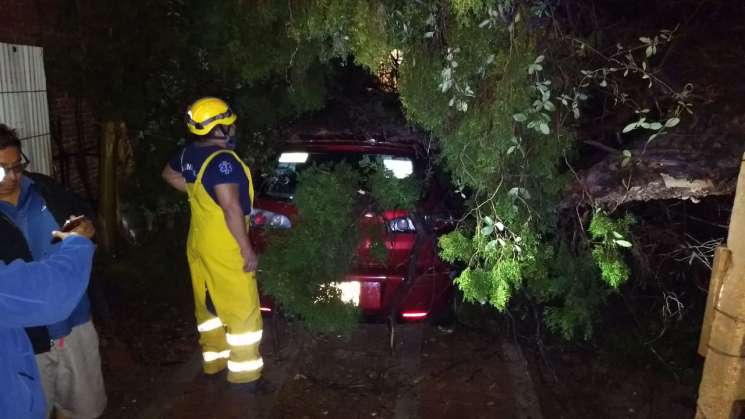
223, 169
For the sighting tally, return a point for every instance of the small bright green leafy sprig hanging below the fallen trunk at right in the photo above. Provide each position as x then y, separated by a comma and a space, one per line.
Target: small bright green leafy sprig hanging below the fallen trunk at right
610, 235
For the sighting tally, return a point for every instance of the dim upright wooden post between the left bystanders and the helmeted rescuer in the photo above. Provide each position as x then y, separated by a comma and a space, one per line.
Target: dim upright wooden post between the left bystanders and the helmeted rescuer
107, 218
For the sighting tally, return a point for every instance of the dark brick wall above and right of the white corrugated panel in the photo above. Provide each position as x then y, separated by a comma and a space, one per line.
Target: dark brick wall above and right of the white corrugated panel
73, 124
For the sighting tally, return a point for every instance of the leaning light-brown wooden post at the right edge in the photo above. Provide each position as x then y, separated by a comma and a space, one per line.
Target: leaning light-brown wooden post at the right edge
722, 387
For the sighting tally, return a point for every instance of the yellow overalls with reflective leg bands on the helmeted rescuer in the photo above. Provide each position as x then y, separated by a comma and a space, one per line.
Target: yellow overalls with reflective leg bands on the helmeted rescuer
232, 338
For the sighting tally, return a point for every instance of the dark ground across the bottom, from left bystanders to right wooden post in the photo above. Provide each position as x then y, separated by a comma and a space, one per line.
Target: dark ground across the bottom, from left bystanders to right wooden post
151, 365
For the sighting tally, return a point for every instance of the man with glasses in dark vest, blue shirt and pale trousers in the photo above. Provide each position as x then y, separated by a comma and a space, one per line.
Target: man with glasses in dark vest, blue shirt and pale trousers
67, 351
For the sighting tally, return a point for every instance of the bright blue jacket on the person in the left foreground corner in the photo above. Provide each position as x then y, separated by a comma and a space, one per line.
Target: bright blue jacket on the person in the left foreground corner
33, 294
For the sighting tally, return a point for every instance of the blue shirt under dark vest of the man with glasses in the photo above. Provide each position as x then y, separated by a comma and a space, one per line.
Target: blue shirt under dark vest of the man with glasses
32, 217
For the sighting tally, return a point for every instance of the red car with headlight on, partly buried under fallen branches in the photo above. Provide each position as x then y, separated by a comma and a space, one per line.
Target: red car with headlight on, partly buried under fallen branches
414, 283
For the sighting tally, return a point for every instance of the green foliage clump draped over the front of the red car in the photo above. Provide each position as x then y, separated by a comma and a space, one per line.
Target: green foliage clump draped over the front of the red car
299, 268
